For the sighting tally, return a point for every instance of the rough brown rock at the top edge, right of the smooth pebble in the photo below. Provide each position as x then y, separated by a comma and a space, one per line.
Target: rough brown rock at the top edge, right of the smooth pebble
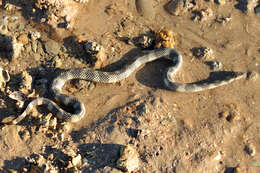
175, 7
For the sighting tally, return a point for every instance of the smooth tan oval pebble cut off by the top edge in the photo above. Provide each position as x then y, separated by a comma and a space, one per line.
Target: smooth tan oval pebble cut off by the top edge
146, 8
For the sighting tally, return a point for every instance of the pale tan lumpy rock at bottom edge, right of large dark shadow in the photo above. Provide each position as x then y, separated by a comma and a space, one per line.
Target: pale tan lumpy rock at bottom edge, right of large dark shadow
129, 159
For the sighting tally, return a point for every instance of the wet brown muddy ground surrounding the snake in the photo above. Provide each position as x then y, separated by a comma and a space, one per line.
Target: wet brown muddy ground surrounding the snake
211, 131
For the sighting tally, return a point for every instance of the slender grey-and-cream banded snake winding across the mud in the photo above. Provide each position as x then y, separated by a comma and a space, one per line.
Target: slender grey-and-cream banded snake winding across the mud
78, 107
